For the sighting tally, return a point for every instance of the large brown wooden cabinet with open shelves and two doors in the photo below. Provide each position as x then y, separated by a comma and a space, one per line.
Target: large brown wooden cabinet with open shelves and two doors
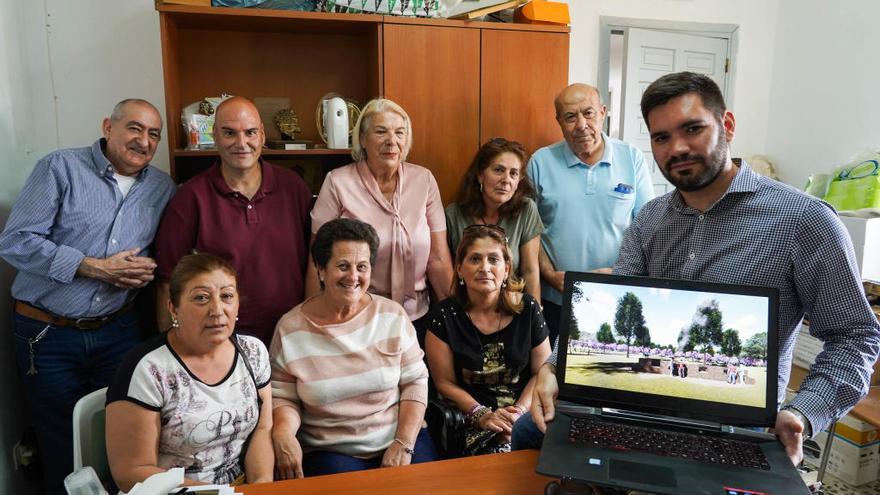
461, 82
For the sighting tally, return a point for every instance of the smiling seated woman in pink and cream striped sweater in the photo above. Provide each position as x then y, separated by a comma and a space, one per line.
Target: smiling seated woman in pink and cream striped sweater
348, 382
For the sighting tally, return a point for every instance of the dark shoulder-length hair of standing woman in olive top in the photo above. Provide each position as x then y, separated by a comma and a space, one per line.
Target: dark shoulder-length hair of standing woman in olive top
469, 197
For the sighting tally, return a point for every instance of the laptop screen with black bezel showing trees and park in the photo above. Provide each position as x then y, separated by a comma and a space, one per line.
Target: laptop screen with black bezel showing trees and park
688, 349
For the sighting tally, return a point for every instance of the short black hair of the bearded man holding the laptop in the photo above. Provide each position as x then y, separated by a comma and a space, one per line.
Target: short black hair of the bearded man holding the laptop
681, 83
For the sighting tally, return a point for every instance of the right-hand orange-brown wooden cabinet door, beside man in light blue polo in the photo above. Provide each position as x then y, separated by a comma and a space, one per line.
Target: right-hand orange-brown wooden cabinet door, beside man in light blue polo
522, 72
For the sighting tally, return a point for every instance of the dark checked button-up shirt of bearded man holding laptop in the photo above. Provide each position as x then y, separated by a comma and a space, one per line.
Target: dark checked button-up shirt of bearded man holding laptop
765, 233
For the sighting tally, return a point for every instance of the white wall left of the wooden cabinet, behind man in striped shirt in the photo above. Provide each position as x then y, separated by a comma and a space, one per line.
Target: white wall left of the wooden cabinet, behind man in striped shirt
63, 65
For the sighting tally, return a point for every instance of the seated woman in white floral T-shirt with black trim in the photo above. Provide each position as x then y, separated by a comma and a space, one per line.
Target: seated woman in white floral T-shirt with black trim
196, 397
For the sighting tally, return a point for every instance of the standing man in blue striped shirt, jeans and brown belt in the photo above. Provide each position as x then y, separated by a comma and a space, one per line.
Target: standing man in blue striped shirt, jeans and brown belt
77, 235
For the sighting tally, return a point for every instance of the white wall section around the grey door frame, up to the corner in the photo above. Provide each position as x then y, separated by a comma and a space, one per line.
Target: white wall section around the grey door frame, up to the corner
757, 24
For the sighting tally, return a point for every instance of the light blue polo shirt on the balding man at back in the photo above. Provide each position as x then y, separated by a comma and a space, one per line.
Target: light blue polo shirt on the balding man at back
586, 210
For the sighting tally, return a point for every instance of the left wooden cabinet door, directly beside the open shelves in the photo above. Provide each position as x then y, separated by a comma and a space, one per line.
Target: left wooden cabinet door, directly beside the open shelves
434, 74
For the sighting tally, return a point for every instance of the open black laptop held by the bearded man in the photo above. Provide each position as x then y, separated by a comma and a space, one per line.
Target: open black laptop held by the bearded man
661, 384
